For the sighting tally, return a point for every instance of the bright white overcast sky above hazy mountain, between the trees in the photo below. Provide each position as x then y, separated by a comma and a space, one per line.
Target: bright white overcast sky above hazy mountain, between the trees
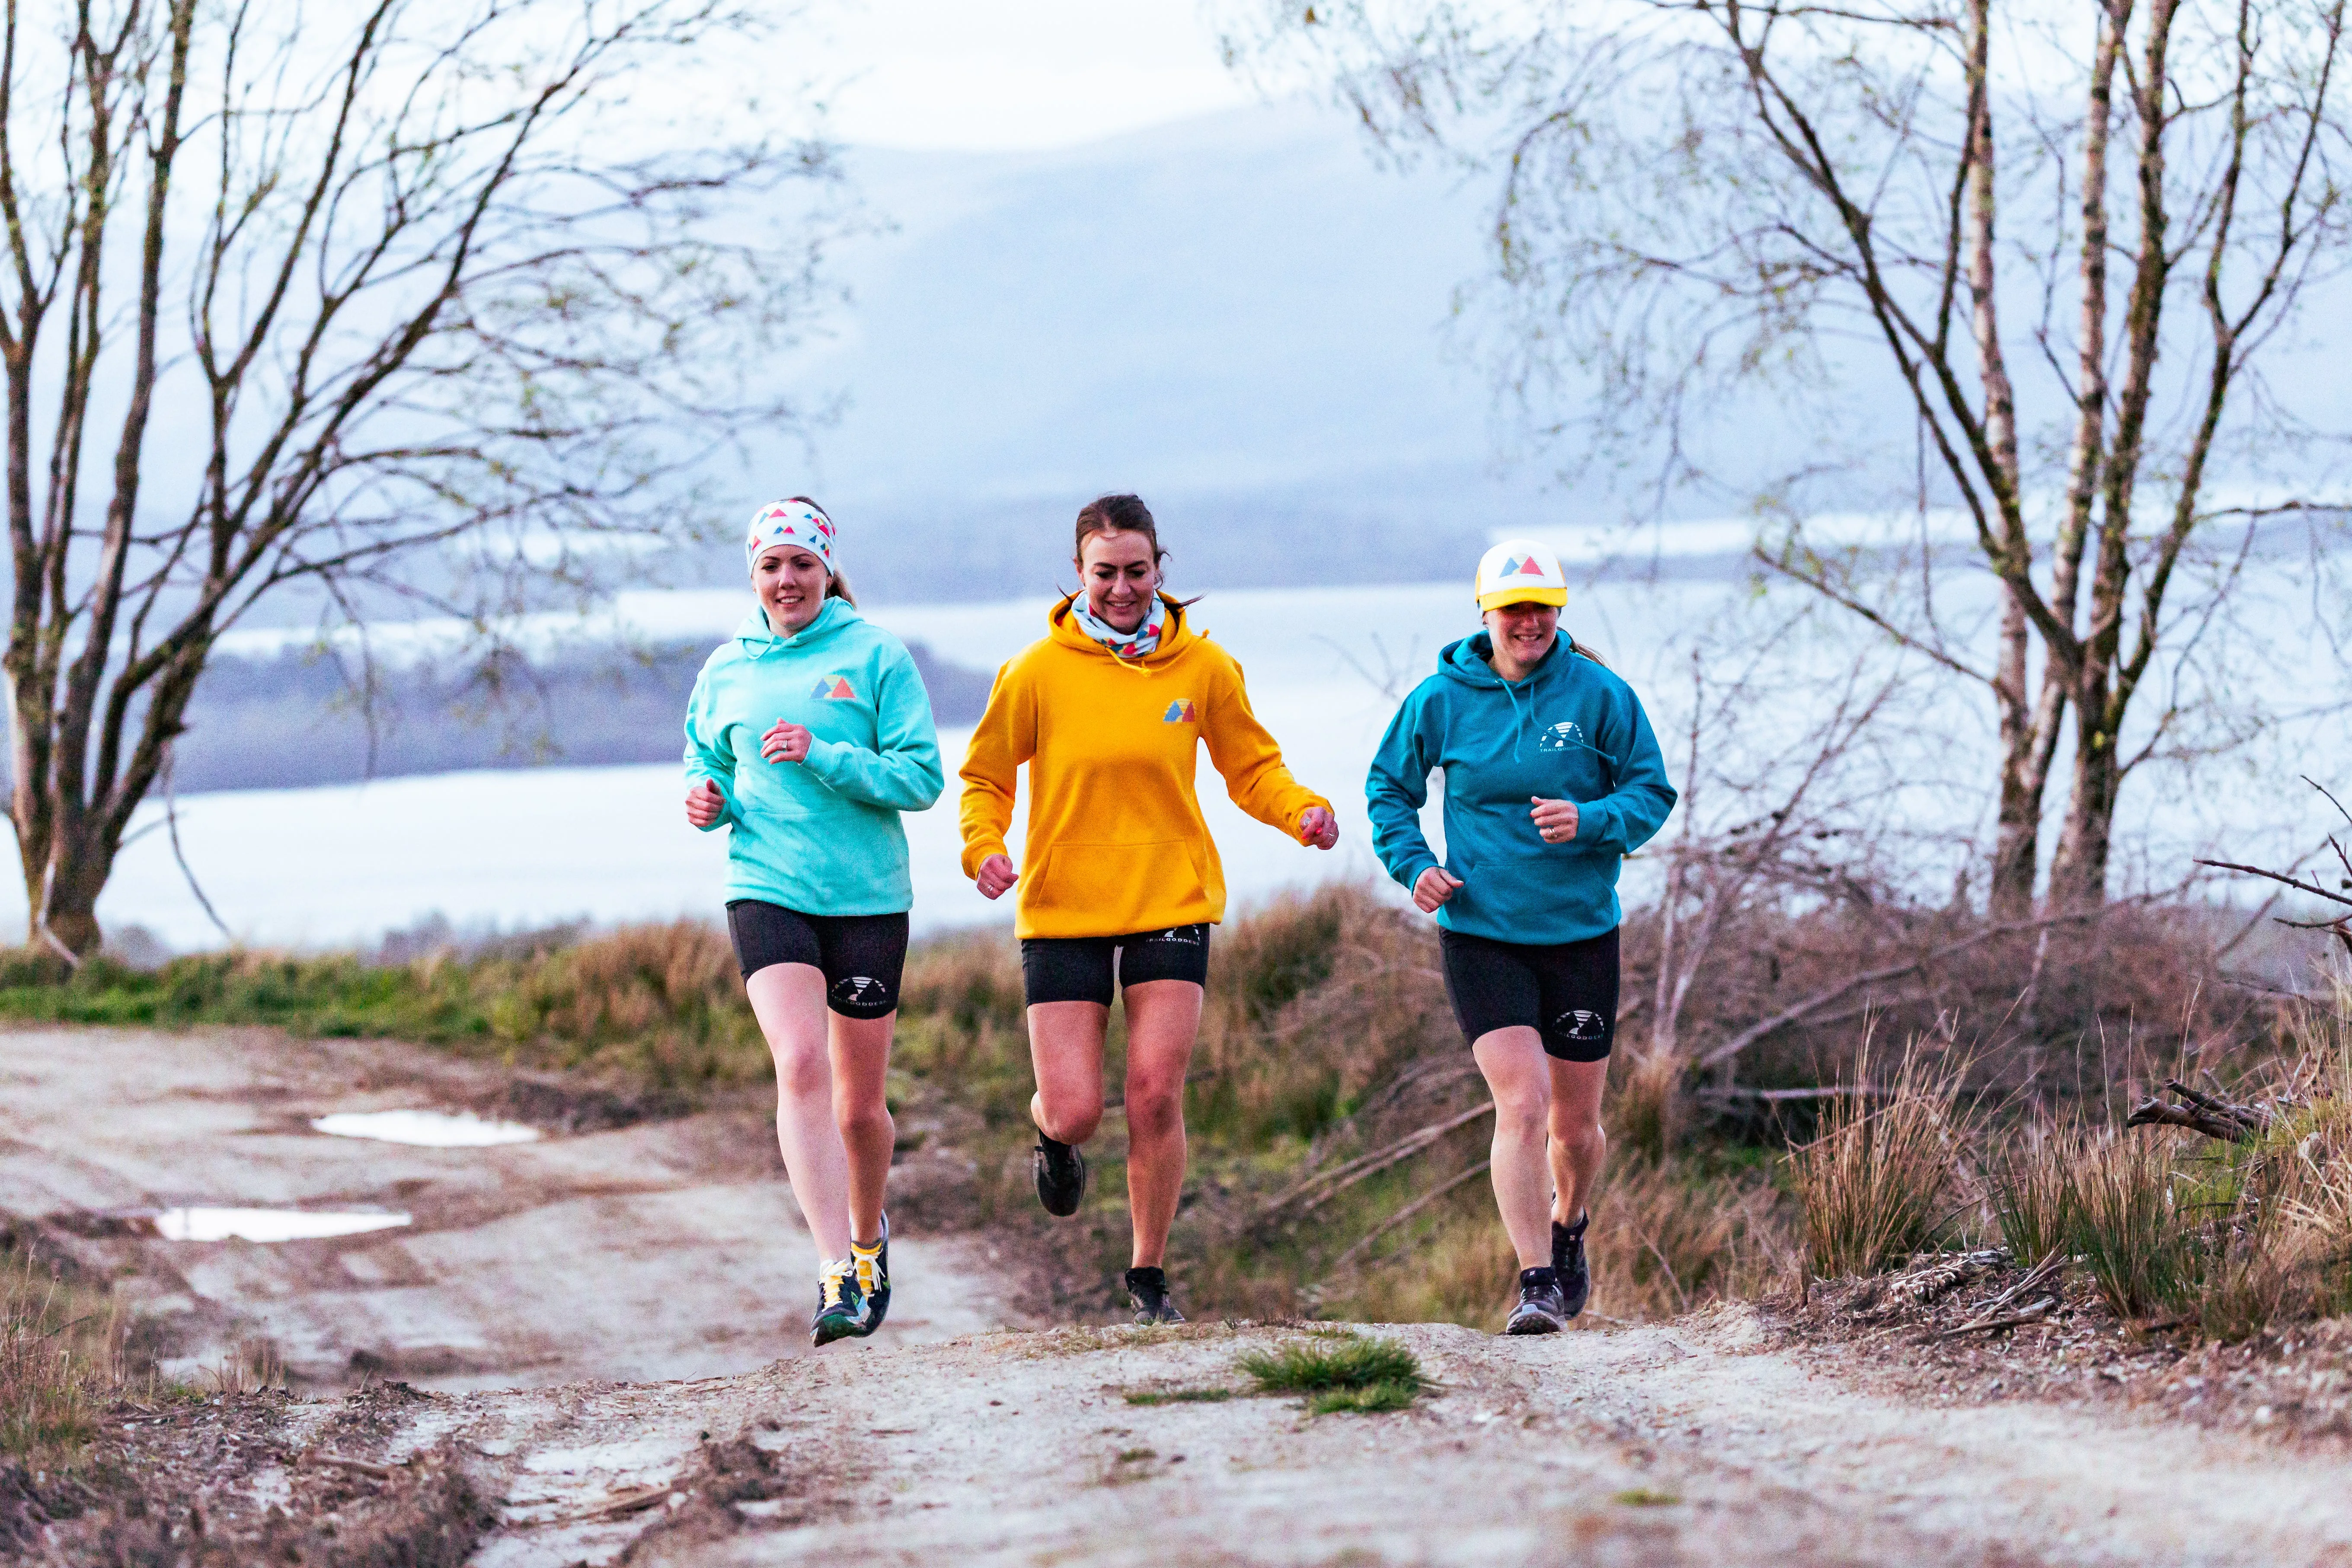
1020, 74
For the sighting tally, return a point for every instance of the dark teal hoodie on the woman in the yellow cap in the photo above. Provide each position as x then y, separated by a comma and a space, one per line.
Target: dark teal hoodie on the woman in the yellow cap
1572, 730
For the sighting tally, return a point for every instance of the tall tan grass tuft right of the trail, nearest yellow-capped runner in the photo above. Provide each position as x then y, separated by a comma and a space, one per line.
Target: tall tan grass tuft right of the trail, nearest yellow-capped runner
1880, 1179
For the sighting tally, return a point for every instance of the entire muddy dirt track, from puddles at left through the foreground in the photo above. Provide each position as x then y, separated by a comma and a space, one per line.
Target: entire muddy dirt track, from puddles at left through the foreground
606, 1369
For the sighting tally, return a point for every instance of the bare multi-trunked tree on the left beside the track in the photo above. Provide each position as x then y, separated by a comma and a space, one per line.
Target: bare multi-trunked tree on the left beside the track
363, 304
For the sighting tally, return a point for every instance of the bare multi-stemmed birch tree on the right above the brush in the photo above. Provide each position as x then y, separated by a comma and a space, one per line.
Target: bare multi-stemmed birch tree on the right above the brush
1702, 196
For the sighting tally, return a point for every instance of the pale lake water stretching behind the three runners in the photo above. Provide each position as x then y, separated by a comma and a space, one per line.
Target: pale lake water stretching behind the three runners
530, 847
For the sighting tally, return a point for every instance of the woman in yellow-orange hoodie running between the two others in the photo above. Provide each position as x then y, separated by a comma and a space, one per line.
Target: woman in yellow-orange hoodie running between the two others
1123, 880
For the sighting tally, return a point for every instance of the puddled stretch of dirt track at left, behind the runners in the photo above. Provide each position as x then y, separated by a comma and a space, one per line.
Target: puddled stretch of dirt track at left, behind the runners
636, 1249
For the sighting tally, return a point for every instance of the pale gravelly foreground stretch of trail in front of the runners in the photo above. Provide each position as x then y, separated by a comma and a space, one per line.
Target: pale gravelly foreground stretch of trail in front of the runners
1643, 1447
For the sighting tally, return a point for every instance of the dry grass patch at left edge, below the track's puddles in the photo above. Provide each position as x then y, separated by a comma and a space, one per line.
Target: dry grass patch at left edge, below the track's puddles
60, 1362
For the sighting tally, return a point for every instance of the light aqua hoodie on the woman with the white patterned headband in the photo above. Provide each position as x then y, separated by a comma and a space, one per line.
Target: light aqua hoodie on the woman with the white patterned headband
817, 836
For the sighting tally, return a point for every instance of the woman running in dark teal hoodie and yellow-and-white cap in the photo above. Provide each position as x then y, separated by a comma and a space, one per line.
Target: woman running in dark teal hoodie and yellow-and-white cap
1551, 782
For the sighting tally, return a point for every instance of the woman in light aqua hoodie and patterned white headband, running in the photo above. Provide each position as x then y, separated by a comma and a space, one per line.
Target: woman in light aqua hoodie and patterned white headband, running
808, 735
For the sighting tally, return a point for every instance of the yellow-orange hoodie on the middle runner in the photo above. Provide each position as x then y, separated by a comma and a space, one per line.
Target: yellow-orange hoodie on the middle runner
1114, 836
